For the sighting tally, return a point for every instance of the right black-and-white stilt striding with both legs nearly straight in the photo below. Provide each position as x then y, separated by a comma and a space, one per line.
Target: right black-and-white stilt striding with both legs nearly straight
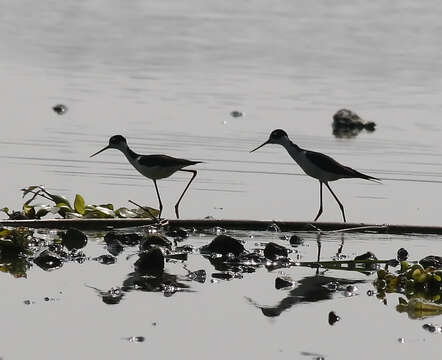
316, 165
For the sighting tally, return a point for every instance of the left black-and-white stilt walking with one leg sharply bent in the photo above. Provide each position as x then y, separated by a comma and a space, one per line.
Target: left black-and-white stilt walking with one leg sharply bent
154, 167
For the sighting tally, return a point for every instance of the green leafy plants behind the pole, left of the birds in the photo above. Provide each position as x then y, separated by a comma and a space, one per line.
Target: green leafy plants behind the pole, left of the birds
79, 210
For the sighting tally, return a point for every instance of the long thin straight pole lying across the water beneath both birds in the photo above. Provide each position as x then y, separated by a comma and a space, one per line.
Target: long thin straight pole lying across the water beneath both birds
256, 225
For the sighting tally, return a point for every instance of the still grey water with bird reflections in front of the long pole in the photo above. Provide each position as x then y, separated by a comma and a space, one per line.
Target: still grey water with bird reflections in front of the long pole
215, 318
